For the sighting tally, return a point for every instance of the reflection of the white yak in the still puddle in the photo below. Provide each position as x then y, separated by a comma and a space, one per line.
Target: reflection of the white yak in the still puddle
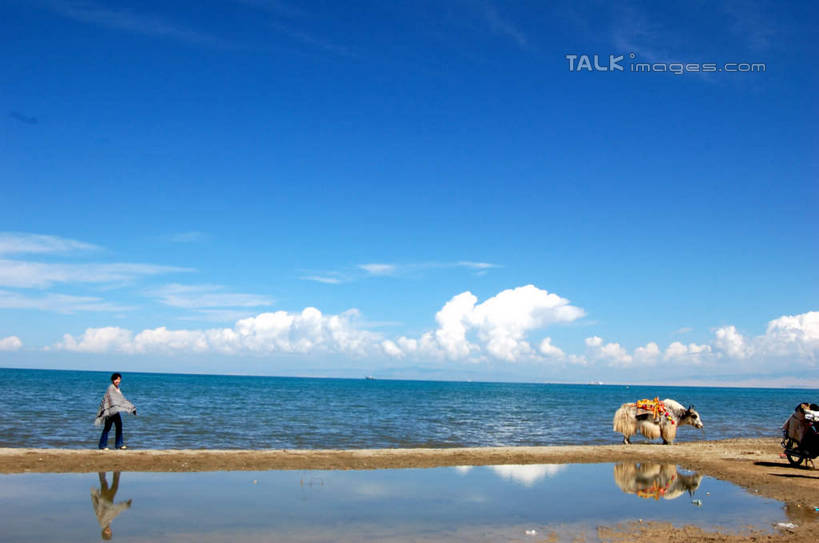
655, 480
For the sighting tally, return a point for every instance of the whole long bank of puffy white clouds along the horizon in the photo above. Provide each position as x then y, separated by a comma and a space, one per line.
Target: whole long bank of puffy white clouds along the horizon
497, 329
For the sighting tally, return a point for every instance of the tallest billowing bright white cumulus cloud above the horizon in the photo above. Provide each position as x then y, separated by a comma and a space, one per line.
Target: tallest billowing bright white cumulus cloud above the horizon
497, 327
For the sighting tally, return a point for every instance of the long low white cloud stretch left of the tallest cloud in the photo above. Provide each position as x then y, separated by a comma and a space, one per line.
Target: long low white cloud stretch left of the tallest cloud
280, 331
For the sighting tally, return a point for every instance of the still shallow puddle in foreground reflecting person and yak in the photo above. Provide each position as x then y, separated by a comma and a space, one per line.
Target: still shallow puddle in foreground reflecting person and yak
487, 503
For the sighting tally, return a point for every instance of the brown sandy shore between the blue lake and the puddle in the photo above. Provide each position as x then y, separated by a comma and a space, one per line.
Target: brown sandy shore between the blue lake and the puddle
751, 463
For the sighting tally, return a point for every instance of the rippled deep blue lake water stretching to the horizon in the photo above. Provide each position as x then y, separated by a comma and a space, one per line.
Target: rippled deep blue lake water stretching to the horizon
47, 408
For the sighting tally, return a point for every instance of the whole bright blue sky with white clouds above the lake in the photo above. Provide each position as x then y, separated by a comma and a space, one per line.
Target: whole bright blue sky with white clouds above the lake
420, 190
